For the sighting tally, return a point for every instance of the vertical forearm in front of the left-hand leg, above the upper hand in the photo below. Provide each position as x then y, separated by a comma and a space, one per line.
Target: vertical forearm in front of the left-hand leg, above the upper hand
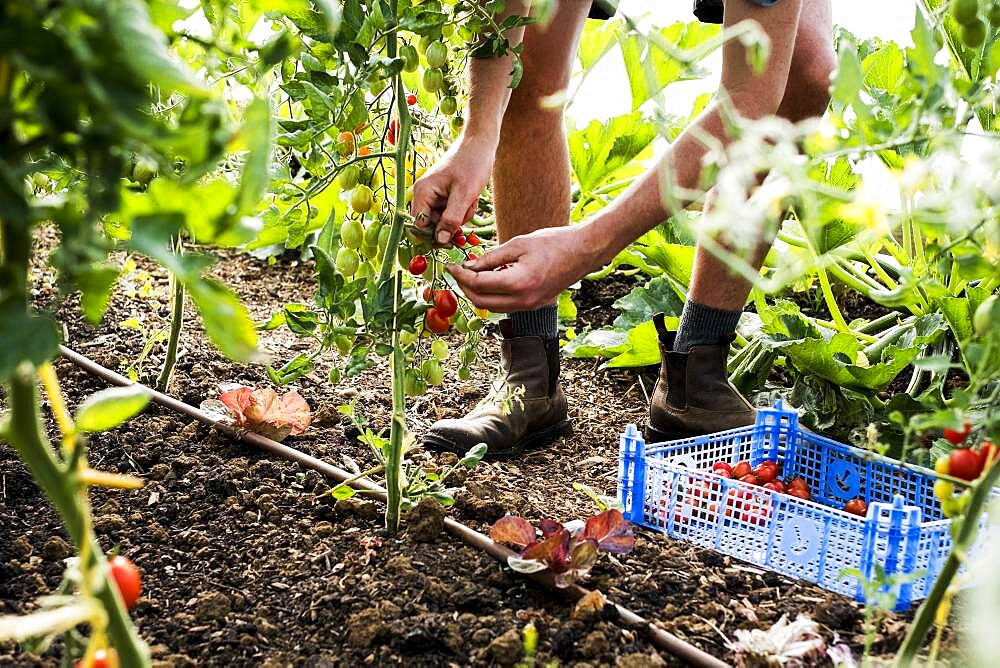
490, 78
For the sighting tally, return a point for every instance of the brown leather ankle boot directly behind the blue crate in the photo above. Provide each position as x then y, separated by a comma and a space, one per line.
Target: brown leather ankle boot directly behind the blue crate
693, 395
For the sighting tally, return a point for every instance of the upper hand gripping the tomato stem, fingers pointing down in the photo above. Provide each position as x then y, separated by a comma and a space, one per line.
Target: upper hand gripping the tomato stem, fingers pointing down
446, 197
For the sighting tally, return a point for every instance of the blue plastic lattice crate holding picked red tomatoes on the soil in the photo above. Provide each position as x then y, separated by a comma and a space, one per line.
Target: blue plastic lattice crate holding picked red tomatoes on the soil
670, 487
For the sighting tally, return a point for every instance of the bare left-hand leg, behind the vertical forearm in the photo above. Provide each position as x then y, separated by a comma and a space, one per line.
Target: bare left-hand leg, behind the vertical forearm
531, 175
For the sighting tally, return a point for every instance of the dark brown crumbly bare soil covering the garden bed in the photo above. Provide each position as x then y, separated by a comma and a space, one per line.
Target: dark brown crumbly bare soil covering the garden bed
247, 562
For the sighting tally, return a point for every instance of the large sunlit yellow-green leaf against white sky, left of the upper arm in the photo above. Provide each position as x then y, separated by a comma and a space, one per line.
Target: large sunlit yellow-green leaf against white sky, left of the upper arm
650, 68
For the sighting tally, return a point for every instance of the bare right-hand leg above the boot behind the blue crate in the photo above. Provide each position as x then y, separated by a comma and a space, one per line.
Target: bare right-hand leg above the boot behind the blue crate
806, 95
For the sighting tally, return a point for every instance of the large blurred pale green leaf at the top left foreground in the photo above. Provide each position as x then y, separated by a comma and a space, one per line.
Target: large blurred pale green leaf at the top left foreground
129, 24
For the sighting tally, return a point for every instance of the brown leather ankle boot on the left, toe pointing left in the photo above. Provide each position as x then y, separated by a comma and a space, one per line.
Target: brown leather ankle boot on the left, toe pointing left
538, 417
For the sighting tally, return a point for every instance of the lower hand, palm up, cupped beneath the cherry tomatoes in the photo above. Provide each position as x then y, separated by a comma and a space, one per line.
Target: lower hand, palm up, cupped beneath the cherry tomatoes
528, 271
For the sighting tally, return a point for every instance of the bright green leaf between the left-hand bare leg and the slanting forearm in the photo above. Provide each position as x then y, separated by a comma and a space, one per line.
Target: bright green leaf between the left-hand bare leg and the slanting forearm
600, 149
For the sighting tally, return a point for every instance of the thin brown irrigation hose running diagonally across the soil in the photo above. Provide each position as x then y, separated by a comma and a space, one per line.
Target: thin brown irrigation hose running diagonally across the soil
668, 642
